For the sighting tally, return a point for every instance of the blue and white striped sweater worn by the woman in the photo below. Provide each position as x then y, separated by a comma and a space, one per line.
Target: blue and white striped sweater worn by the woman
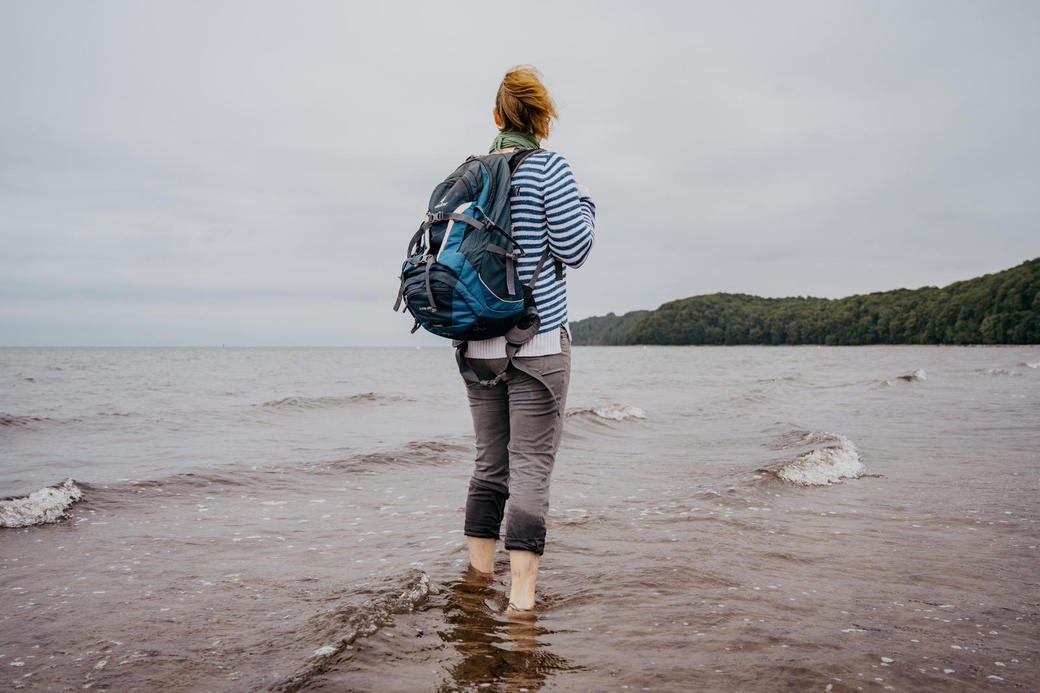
548, 207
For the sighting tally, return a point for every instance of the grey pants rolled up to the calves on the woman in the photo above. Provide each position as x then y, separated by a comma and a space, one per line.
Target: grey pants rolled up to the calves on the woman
518, 425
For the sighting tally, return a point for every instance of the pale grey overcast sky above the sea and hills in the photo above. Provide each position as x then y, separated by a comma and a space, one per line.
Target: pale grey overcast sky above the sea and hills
250, 173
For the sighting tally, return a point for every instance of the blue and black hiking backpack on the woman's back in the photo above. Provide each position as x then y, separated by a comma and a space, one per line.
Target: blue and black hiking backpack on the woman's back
460, 278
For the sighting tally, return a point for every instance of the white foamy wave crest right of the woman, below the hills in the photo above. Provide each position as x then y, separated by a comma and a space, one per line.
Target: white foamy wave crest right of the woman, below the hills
829, 459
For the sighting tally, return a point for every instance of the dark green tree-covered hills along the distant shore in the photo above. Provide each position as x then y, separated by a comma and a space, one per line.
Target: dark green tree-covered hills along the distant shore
1003, 309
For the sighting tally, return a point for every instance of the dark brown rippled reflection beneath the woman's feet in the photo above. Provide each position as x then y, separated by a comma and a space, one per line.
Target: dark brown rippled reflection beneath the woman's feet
497, 649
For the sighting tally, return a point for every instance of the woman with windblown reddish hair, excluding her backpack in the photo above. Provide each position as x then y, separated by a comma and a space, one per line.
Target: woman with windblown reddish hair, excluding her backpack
518, 422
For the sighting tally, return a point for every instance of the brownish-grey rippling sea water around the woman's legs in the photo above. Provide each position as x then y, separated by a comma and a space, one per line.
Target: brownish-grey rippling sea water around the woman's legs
723, 519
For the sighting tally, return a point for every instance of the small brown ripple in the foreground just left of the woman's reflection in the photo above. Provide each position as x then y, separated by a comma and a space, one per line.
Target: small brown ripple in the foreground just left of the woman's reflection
360, 624
